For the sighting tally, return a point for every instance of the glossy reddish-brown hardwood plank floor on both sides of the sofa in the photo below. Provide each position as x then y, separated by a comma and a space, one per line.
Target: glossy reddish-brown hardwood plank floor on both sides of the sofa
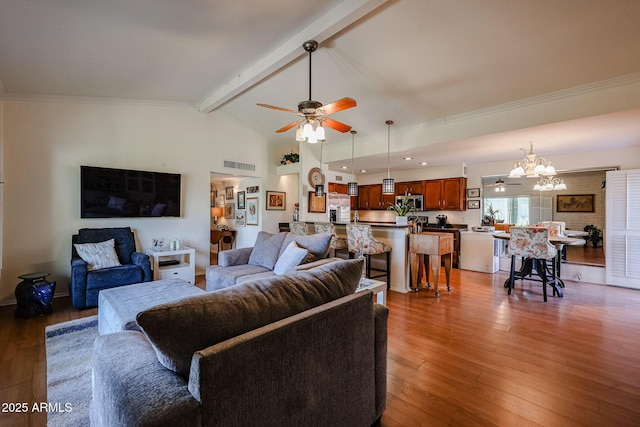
475, 356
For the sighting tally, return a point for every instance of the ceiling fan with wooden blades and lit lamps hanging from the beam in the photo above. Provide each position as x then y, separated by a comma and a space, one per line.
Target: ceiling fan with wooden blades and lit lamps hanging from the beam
313, 113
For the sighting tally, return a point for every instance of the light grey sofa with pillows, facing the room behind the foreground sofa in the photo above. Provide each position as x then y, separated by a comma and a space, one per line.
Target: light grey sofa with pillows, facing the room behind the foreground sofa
267, 257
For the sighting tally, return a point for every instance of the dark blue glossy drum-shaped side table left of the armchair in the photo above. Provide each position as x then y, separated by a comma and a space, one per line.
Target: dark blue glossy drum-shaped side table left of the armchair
34, 295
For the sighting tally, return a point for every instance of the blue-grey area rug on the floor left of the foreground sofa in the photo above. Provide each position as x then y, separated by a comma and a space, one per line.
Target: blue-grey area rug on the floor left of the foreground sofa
69, 354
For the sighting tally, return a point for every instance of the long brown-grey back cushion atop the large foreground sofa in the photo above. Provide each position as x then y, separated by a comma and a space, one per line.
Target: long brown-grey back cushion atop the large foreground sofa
178, 329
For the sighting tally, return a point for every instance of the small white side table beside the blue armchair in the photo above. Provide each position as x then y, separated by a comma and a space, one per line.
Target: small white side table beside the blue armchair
172, 264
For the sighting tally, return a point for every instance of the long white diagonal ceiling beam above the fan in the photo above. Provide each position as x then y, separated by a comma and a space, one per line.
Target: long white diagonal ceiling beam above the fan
335, 20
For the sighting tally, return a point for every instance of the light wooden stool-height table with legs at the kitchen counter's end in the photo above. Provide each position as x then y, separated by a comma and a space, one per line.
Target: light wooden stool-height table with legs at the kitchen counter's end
435, 246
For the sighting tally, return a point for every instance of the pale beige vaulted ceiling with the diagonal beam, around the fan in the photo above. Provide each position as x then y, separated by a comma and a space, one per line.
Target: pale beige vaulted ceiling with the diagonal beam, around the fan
464, 80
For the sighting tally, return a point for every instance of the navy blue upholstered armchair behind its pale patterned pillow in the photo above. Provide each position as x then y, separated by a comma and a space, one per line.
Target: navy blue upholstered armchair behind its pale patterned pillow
85, 285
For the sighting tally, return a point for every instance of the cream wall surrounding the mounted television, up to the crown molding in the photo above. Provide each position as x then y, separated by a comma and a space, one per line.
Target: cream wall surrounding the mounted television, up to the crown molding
44, 142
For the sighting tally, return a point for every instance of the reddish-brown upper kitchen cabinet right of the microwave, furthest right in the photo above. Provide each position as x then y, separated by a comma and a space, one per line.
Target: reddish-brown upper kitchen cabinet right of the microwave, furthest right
445, 194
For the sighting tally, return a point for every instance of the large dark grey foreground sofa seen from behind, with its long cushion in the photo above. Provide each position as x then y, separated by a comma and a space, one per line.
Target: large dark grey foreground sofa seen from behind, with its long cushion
293, 349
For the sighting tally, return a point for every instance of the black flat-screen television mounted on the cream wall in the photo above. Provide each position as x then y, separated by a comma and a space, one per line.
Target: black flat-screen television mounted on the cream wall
121, 193
